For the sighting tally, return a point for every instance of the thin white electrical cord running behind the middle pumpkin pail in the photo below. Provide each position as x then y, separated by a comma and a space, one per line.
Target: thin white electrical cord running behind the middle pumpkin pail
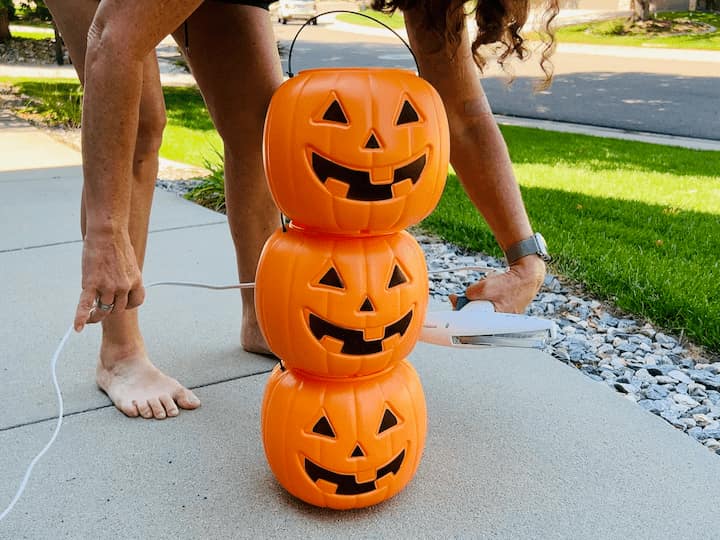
53, 364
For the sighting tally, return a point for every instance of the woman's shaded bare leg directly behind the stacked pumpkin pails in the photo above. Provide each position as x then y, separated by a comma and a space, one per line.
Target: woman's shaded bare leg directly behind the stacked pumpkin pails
233, 56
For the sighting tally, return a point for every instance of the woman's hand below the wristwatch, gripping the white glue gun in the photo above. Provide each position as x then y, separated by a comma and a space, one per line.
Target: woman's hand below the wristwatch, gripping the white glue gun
511, 291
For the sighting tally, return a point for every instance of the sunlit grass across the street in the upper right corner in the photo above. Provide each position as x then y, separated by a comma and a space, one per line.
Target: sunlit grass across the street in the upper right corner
605, 33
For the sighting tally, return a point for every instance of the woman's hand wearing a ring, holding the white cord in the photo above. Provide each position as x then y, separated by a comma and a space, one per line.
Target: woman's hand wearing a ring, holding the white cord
111, 278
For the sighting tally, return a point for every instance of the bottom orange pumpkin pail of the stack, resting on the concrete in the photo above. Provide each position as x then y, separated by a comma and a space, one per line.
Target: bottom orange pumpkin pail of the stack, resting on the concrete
344, 443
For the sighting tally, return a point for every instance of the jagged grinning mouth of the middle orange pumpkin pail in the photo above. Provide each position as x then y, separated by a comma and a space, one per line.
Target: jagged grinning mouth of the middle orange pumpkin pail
354, 341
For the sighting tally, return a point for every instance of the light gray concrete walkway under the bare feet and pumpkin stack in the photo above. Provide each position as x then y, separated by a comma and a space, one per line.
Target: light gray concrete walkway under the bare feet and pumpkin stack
519, 445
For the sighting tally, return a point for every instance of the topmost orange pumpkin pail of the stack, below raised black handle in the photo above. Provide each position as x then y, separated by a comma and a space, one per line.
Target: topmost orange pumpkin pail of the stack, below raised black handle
356, 150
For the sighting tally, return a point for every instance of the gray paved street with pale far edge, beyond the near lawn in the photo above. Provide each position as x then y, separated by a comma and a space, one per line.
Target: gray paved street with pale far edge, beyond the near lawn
640, 90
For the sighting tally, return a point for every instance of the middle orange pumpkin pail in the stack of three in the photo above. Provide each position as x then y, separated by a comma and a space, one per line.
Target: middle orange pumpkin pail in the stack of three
341, 306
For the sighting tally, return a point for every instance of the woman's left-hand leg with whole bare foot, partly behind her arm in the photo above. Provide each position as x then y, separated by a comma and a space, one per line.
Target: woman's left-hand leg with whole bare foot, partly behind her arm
124, 371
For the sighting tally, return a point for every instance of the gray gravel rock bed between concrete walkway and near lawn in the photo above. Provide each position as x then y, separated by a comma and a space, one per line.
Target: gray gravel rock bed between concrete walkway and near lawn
657, 371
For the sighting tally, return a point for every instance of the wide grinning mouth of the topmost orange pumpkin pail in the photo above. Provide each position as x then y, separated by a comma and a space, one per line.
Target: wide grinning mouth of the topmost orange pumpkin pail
377, 184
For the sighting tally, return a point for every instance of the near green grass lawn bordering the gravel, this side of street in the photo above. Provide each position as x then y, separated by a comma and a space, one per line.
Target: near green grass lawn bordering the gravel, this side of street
638, 224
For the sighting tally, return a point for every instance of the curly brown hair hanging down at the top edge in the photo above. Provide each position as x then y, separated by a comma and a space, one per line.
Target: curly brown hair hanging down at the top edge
498, 21
